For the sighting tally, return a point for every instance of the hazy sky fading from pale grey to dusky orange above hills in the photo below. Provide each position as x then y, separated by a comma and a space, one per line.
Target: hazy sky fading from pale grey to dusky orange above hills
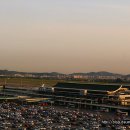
65, 35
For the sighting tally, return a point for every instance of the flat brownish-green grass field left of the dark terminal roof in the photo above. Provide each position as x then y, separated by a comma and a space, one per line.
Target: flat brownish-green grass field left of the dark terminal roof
27, 82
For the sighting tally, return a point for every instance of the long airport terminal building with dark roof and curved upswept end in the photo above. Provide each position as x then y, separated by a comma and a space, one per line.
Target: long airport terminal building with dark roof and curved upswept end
91, 96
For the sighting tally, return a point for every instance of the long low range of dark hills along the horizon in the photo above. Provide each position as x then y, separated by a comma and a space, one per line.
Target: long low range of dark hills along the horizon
101, 73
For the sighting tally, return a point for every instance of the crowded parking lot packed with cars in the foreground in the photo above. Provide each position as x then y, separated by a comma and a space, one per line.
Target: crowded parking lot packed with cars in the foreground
14, 116
